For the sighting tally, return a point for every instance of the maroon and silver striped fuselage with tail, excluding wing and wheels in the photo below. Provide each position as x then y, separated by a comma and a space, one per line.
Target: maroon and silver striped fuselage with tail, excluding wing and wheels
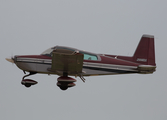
143, 61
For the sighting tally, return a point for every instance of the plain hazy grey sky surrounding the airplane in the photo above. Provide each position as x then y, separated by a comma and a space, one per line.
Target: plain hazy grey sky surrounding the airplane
100, 26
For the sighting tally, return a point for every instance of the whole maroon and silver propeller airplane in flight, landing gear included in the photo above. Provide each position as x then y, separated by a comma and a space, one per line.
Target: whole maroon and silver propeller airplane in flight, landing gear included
66, 61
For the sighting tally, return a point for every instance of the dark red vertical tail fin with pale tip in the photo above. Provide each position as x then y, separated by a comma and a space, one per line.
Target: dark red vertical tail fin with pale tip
145, 53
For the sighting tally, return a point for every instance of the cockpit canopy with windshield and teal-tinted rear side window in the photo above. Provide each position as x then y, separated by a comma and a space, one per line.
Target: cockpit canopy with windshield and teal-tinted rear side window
87, 55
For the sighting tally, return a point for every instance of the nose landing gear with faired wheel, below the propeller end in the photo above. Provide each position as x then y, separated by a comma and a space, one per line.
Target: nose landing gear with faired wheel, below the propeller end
28, 82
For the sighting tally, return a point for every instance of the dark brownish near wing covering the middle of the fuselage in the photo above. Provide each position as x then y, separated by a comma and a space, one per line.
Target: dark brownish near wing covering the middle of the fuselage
65, 61
